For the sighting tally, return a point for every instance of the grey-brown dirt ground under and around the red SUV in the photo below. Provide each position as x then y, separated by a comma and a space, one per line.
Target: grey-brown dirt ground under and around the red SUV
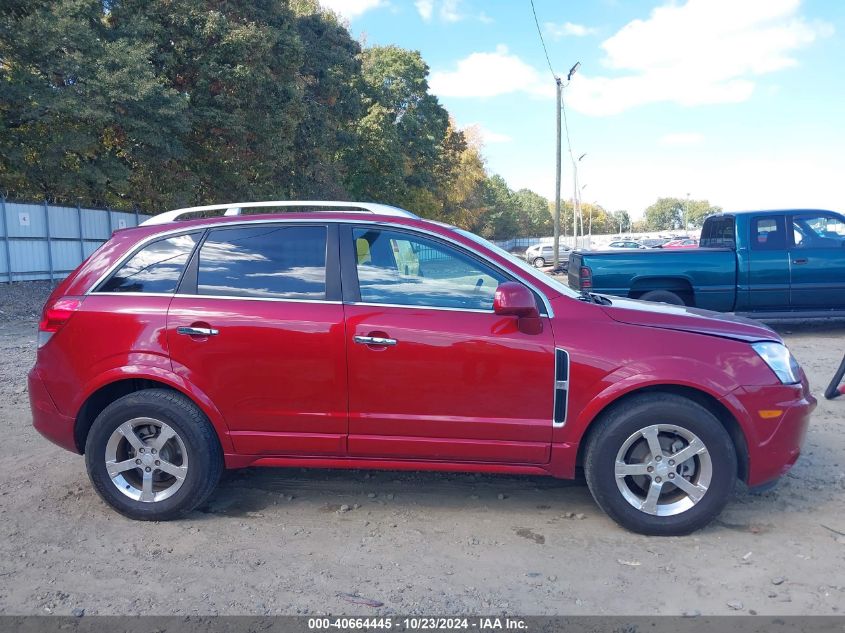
312, 542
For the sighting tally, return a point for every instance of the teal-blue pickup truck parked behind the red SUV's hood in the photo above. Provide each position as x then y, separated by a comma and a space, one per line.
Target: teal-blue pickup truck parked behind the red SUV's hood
766, 264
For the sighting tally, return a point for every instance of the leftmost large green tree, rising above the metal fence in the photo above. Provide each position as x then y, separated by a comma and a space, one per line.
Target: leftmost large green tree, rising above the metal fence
81, 108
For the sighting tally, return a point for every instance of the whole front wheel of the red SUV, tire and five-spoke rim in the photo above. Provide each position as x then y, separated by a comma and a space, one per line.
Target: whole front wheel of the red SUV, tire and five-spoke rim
660, 464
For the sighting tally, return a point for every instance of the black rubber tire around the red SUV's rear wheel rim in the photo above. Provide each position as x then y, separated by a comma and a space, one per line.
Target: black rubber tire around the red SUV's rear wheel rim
204, 457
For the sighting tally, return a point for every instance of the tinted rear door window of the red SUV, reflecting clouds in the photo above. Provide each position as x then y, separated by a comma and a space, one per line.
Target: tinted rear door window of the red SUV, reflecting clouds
269, 261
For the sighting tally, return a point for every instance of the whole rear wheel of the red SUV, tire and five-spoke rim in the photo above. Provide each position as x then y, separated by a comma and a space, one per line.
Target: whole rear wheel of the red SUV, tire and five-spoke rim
152, 455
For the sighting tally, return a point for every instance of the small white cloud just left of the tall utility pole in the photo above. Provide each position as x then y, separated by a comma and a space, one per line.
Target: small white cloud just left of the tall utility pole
490, 75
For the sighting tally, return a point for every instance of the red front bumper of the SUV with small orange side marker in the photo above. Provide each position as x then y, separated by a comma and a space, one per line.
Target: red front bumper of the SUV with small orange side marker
774, 420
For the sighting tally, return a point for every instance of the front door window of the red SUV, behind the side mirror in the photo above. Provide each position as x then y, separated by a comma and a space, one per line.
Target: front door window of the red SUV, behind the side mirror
403, 269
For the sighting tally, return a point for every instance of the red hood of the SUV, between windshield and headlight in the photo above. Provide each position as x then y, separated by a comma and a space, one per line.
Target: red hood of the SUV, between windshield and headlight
684, 319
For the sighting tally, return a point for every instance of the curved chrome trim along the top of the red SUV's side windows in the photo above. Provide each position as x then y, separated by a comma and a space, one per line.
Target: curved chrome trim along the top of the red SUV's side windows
251, 220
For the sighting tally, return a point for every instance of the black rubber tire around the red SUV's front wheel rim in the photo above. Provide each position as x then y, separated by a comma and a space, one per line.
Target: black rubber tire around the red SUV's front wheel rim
623, 421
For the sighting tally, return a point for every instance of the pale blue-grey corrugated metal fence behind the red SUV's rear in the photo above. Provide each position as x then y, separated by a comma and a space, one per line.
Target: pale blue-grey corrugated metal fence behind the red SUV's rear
44, 241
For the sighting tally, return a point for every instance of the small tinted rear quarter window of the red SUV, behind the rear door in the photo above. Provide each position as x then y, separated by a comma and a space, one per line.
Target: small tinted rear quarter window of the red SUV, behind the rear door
155, 268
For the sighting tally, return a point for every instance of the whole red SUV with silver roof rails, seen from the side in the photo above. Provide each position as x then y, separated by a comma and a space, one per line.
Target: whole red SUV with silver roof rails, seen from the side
365, 337
